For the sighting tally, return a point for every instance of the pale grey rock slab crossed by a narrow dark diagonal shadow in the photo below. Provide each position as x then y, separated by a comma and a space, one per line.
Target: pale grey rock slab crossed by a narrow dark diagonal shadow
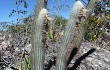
98, 60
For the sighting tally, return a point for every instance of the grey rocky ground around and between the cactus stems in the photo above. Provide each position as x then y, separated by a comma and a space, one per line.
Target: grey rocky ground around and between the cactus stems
14, 47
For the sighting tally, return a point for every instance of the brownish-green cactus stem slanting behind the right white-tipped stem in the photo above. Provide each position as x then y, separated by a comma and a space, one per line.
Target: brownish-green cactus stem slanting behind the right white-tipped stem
77, 40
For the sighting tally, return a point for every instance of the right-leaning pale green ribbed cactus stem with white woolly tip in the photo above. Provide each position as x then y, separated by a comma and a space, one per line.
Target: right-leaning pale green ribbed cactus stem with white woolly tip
61, 64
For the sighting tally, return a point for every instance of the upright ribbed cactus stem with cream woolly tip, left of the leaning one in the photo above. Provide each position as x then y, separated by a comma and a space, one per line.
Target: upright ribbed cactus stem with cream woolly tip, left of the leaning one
39, 44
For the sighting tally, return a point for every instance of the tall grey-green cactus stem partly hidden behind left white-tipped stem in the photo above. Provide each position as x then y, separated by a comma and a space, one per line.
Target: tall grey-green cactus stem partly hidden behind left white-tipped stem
40, 4
